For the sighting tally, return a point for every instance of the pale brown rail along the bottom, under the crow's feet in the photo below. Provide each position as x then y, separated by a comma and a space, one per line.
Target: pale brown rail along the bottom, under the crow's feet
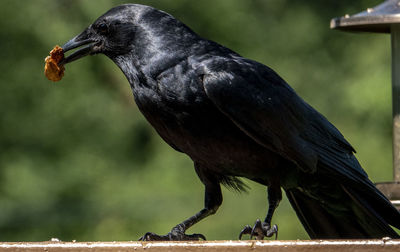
231, 246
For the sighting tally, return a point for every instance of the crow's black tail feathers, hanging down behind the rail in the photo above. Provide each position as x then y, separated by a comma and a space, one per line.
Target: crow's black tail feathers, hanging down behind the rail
374, 215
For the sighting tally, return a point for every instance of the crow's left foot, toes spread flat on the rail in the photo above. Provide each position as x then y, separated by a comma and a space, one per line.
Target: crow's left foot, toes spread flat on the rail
176, 234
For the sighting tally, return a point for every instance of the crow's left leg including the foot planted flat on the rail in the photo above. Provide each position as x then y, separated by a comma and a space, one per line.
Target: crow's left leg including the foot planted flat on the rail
213, 199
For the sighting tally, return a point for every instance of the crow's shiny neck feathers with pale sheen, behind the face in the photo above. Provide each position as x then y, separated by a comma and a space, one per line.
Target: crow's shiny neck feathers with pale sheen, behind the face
160, 42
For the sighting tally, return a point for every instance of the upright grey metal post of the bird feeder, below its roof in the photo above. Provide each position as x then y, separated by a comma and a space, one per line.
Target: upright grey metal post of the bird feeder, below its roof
395, 35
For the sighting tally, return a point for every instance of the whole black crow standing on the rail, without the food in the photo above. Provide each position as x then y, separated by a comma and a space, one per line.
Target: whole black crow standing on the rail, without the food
237, 118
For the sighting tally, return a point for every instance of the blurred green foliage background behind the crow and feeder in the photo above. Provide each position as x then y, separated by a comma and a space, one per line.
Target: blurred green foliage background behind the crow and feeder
79, 161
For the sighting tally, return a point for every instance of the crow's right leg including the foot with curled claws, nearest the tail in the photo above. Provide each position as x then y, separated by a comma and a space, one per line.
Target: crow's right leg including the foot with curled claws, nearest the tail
264, 229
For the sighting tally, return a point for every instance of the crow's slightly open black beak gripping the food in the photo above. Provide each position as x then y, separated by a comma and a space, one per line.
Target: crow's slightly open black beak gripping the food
88, 47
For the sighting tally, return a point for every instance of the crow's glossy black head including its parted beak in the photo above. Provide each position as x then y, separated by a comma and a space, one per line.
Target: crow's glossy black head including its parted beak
125, 30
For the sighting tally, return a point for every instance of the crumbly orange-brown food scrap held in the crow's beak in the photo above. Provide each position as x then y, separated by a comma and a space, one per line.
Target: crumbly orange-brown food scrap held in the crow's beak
52, 69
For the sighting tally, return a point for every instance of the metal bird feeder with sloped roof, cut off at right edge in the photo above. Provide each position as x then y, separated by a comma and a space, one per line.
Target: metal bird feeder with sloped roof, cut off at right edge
384, 18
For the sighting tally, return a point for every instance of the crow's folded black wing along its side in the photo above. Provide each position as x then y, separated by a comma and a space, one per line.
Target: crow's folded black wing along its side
264, 106
